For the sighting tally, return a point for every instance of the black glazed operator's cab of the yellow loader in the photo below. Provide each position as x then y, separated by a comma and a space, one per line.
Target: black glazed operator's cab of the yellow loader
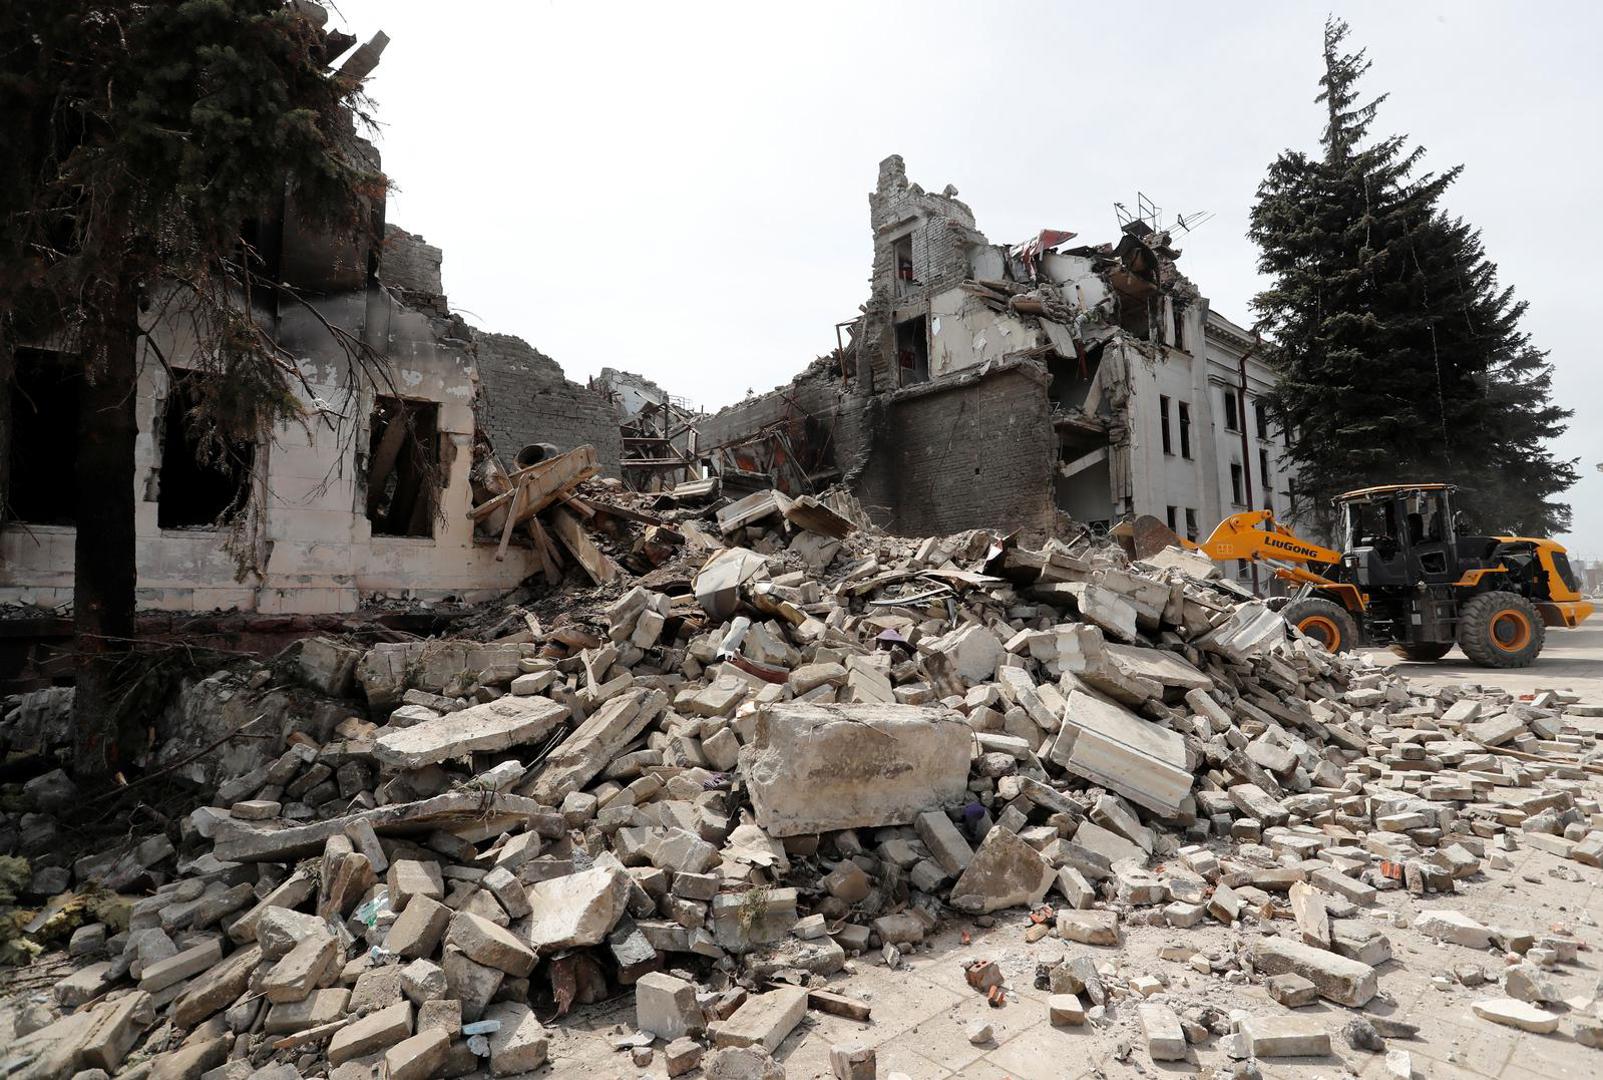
1399, 536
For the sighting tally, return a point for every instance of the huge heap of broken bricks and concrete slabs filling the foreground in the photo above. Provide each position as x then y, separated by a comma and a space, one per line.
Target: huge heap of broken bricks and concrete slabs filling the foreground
818, 749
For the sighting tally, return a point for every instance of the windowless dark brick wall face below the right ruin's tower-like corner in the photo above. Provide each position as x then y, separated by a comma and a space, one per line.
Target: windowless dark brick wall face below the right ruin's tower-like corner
966, 454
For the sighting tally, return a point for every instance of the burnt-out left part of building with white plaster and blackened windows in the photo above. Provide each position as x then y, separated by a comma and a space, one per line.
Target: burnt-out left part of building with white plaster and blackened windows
368, 499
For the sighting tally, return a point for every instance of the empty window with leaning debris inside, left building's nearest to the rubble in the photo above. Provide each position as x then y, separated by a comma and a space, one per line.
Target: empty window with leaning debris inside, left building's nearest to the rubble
403, 467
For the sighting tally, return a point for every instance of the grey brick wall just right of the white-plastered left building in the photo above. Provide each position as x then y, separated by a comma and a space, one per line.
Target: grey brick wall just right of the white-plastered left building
525, 398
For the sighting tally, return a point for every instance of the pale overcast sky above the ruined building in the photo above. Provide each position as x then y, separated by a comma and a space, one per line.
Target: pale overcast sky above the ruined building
680, 190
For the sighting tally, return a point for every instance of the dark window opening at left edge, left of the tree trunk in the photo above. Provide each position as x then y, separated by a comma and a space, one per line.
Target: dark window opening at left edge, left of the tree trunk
46, 397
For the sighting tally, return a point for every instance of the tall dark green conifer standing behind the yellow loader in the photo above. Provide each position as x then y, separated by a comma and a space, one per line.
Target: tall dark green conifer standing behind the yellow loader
1399, 350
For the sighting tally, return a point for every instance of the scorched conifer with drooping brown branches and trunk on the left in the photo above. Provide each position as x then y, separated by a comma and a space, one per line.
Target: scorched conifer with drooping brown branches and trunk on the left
140, 140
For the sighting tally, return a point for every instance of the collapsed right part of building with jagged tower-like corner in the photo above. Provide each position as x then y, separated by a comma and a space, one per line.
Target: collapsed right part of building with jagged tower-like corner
1004, 384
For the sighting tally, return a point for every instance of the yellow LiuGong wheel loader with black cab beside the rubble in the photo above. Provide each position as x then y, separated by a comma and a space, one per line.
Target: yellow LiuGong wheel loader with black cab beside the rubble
1407, 581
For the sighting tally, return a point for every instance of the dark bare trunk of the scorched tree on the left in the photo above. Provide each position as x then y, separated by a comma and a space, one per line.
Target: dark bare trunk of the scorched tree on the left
105, 552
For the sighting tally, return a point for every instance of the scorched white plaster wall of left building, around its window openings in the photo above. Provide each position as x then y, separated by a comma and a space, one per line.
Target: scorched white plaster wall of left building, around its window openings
305, 546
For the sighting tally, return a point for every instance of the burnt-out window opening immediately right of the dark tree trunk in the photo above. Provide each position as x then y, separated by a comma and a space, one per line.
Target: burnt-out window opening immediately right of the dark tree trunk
206, 477
